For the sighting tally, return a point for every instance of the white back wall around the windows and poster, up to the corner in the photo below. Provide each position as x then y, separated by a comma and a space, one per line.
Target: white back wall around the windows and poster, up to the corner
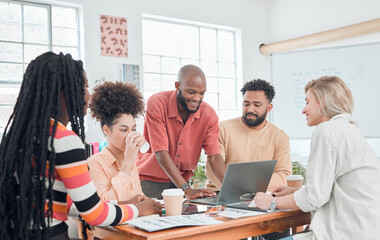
248, 15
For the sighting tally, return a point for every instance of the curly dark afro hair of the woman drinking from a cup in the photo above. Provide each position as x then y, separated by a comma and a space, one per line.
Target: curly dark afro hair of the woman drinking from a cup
109, 100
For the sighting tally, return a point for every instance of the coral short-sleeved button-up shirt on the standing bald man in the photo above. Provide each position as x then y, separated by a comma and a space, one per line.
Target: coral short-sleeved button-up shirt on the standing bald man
165, 131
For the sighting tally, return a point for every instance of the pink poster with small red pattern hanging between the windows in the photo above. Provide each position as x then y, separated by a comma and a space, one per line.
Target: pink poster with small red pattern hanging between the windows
113, 36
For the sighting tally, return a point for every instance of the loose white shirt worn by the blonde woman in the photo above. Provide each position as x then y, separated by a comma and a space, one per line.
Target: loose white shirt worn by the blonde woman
343, 183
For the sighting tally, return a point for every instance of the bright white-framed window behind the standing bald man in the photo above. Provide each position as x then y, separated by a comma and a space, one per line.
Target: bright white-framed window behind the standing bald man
170, 44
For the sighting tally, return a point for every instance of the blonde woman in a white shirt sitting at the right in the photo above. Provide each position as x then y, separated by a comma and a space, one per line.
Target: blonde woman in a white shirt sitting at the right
343, 172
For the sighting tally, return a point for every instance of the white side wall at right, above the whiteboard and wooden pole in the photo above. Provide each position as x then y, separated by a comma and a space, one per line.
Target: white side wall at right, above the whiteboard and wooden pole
294, 18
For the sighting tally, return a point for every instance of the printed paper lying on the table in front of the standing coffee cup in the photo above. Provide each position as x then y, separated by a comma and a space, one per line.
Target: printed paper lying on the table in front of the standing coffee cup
161, 223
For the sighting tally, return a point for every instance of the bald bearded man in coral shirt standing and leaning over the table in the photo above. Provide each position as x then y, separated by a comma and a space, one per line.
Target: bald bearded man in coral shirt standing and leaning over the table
177, 126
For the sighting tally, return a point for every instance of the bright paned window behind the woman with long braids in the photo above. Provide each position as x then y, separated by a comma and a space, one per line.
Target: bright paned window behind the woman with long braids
26, 31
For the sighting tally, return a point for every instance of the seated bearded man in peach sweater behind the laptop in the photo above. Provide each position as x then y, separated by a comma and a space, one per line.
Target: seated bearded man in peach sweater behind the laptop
252, 138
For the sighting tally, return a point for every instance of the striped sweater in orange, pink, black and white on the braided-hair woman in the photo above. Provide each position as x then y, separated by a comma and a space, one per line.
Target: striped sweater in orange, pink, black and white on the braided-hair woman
72, 177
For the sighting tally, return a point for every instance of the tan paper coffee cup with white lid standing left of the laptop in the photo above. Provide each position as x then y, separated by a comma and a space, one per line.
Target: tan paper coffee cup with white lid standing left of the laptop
173, 199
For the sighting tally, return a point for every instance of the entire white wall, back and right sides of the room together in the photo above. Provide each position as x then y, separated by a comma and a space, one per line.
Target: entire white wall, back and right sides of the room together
260, 21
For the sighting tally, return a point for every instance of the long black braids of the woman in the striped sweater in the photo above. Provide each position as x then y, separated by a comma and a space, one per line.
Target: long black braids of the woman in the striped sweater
27, 155
